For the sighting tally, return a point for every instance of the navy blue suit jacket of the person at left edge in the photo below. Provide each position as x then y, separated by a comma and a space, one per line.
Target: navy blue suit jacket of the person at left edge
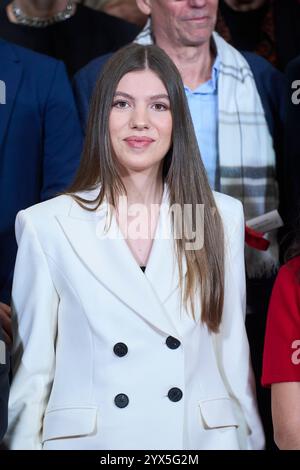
40, 141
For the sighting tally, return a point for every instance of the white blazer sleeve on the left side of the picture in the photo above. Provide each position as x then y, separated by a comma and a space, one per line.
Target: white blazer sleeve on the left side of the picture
35, 305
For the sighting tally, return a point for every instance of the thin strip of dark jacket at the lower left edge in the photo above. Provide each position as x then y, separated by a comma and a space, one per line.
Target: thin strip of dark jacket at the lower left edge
4, 386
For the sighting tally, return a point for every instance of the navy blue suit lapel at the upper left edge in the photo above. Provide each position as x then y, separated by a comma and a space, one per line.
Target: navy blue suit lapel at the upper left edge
10, 74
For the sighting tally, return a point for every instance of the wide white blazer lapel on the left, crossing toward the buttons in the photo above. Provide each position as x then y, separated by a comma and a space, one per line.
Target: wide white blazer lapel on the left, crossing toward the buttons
108, 258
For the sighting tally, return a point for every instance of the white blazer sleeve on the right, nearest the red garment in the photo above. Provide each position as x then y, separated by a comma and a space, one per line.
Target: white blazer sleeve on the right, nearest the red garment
231, 342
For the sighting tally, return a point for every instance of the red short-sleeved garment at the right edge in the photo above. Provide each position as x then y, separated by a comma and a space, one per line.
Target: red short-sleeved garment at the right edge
281, 360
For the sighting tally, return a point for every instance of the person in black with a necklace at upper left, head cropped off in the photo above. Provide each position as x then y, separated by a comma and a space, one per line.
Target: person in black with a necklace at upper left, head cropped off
64, 29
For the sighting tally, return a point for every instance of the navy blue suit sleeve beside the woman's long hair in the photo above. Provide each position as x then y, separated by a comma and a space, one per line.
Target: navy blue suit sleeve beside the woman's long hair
62, 136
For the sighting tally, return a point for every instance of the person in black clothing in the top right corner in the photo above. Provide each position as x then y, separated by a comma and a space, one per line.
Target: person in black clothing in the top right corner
269, 28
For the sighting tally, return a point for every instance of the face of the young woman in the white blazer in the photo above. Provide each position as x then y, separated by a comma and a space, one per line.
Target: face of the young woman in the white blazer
140, 122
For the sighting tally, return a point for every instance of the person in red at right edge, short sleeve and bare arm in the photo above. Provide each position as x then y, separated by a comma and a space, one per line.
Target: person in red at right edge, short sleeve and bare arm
281, 364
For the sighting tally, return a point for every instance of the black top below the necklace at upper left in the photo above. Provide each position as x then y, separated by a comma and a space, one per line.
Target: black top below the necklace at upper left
77, 41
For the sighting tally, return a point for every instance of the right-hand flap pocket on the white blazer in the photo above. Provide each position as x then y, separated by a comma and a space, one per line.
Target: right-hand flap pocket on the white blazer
218, 413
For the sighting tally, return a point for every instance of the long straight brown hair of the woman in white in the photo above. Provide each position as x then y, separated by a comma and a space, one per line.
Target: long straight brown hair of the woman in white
183, 173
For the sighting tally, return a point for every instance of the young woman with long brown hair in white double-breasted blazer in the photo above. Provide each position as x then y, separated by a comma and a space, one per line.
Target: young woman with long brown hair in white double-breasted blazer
108, 356
